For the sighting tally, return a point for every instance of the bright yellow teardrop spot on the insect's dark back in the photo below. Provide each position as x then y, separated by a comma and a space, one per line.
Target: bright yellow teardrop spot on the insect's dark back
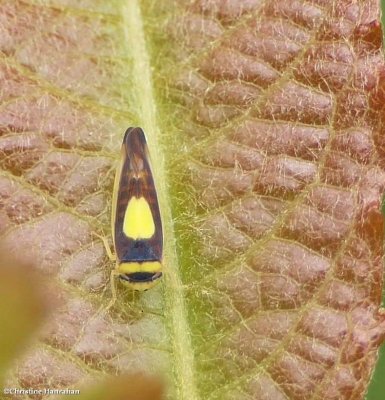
138, 221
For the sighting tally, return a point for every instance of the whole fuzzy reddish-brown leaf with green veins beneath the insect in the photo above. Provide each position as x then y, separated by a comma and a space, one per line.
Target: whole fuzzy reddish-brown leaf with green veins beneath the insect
271, 120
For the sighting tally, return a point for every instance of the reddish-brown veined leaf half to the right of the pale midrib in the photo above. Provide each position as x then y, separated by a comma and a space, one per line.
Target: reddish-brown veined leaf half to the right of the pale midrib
289, 185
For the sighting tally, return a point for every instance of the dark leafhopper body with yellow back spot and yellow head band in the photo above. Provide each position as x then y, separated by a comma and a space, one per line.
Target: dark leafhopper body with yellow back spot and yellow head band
136, 220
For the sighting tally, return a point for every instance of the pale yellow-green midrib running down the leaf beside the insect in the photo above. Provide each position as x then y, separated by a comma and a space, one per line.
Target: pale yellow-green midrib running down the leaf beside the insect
145, 108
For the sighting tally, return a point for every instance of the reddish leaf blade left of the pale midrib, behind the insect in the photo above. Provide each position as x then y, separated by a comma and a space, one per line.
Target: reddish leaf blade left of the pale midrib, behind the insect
63, 79
